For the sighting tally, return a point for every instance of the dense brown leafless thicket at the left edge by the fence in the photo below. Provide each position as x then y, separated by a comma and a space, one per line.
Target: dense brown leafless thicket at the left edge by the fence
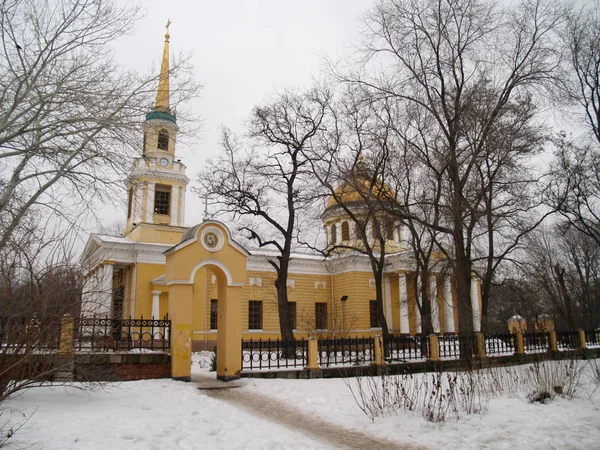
37, 289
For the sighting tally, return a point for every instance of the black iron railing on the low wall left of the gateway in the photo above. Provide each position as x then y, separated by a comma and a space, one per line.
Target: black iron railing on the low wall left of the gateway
104, 334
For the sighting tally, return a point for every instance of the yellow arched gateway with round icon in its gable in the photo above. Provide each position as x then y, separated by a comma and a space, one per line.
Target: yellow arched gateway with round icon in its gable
209, 245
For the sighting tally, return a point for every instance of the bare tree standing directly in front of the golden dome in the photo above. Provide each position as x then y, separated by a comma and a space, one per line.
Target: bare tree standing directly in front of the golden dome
350, 162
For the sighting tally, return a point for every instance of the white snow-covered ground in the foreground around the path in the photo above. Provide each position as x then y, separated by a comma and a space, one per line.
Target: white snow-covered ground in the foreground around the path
165, 414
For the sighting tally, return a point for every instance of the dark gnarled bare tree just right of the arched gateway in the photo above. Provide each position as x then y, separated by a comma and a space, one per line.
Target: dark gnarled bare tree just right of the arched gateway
261, 182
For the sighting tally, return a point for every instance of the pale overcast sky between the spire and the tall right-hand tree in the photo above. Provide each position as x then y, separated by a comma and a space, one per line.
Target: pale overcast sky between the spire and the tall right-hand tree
243, 51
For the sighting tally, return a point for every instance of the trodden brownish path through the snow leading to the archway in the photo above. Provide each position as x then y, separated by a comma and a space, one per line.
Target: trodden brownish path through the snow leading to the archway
281, 413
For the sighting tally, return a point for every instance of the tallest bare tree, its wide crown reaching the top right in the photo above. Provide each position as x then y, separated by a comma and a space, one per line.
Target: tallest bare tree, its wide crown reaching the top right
443, 61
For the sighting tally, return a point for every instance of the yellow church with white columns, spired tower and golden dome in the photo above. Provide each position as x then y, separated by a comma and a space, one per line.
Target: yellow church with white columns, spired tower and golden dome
135, 275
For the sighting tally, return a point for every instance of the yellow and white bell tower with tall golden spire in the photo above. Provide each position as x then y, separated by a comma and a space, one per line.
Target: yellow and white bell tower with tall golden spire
157, 183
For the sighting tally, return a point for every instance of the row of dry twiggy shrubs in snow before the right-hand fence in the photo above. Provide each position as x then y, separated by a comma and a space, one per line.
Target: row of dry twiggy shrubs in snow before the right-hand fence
440, 397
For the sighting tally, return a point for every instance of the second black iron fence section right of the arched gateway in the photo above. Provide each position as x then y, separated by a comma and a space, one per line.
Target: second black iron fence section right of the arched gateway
351, 351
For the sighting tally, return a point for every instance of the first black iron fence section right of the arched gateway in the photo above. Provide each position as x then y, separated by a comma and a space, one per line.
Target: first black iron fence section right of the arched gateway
274, 354
